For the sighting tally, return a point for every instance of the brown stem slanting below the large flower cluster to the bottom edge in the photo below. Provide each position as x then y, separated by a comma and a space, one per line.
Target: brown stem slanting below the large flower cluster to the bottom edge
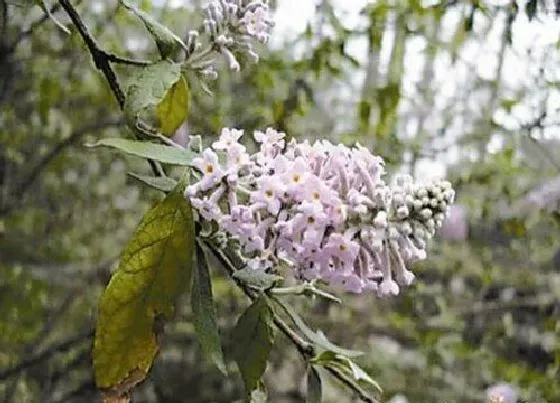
304, 348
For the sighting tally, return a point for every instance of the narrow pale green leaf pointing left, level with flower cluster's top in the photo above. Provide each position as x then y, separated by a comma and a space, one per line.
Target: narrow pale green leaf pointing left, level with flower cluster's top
157, 152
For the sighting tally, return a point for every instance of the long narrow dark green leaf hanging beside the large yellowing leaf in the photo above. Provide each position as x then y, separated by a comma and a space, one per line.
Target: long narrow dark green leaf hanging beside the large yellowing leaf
205, 323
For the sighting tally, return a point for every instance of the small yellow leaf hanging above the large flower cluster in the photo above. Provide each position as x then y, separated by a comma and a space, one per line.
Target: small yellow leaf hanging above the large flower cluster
174, 109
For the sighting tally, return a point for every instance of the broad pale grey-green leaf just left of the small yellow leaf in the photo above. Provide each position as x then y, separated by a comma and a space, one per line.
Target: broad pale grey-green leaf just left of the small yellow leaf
148, 86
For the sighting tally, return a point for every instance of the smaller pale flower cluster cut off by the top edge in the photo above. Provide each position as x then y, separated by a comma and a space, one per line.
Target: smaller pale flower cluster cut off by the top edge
232, 24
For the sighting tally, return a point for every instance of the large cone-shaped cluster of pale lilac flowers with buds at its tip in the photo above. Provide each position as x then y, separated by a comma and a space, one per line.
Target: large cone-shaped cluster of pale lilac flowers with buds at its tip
323, 210
